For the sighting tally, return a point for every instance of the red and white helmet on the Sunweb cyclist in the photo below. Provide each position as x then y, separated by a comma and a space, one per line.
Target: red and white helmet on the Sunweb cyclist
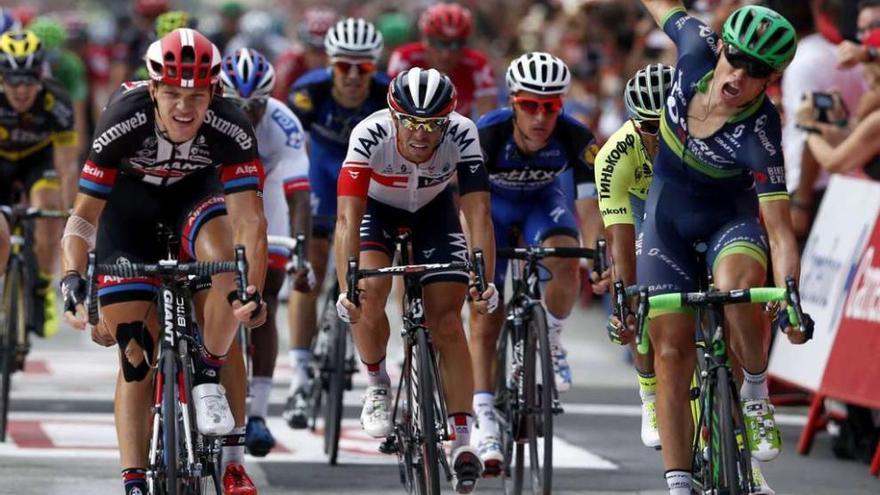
184, 58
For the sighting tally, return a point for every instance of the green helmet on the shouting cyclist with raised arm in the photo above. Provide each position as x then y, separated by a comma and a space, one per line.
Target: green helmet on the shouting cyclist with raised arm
762, 34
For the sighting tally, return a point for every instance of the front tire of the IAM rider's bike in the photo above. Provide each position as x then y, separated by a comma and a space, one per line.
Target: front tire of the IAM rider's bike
426, 421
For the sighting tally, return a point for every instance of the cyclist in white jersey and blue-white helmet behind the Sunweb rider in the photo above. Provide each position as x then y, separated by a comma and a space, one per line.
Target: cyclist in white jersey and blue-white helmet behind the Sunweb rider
247, 79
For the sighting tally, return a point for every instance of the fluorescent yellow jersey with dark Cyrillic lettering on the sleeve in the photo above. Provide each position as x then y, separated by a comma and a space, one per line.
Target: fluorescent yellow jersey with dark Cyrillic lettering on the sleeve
622, 167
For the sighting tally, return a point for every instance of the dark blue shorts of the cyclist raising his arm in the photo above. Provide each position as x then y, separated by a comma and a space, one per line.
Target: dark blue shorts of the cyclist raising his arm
666, 258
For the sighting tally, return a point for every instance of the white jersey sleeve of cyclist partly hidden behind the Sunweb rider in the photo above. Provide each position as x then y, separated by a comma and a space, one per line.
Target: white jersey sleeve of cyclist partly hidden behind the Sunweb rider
291, 156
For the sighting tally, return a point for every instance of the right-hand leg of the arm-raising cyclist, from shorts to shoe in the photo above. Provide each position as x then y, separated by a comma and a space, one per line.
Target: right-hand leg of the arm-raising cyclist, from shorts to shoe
739, 260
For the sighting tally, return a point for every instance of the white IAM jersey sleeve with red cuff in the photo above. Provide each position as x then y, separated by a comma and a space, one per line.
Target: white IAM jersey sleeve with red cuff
356, 172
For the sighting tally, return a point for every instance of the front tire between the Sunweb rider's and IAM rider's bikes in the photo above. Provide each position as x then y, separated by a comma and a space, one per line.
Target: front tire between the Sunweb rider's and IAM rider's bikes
335, 390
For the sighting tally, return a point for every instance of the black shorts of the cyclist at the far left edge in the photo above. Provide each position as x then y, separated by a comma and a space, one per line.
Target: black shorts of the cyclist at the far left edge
27, 175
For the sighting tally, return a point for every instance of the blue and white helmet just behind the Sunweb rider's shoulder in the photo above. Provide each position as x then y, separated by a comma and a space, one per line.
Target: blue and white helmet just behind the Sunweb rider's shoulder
247, 74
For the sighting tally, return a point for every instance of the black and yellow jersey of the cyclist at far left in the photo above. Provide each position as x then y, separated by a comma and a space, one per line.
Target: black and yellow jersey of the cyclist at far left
49, 121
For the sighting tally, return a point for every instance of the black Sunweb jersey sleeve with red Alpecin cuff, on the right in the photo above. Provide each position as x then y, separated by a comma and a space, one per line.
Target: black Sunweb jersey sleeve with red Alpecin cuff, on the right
236, 151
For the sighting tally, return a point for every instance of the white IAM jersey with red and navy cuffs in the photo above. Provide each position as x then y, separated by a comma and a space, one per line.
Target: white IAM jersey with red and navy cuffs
374, 167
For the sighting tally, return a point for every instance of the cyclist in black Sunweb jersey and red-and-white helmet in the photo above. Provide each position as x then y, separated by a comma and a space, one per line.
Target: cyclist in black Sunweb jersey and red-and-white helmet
154, 160
